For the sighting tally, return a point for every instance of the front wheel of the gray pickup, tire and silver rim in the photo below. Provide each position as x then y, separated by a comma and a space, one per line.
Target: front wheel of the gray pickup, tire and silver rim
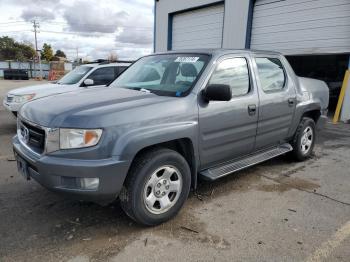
156, 187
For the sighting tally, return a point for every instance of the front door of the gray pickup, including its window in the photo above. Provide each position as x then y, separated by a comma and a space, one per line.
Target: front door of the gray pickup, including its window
228, 128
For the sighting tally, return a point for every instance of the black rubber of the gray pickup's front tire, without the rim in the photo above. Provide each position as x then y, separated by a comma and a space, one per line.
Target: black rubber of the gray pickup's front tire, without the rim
166, 157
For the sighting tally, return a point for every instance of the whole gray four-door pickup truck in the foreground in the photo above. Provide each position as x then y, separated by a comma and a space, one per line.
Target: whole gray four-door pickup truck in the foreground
168, 120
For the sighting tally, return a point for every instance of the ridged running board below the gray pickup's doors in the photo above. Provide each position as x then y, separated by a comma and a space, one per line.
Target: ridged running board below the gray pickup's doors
231, 167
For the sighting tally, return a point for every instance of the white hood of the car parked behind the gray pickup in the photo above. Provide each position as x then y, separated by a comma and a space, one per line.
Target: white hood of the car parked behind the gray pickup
43, 90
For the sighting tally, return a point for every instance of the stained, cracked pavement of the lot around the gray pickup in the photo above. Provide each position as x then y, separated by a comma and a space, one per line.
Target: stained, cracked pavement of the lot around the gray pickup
277, 211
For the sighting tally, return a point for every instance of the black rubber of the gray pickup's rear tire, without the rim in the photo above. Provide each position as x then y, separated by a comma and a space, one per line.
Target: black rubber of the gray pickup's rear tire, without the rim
307, 122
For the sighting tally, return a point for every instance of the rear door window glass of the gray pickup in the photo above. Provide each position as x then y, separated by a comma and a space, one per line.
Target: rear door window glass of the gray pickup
271, 74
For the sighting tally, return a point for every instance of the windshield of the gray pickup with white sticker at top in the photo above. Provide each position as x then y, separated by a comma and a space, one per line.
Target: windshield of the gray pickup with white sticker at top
169, 75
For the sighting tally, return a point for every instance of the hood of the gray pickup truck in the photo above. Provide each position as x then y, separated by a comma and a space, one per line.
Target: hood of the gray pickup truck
88, 108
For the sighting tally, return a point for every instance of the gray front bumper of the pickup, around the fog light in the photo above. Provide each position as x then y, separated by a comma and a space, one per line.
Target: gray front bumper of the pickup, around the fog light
54, 172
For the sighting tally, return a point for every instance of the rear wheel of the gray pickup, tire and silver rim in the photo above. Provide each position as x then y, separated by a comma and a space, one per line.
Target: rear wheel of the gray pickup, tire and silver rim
304, 139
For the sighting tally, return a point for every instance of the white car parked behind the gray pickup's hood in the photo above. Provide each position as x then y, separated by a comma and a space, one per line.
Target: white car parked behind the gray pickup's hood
89, 75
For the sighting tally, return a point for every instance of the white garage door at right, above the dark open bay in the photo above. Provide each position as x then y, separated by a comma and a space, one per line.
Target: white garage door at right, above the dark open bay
302, 26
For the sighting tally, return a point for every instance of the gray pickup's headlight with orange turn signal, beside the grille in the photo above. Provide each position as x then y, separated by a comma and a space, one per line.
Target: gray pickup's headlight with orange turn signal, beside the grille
79, 138
